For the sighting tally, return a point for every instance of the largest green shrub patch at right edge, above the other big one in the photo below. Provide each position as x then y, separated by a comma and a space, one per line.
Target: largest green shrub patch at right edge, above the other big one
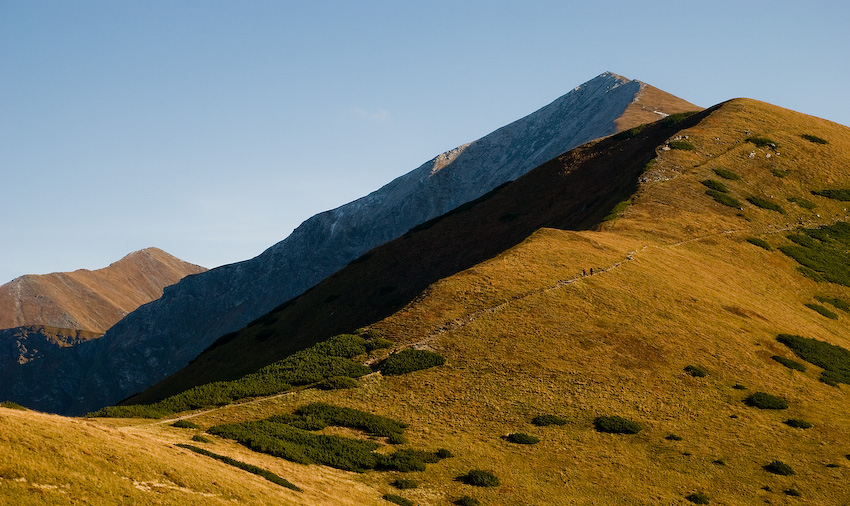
824, 251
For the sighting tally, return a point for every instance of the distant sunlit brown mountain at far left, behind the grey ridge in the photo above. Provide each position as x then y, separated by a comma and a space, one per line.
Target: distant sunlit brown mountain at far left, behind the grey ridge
91, 300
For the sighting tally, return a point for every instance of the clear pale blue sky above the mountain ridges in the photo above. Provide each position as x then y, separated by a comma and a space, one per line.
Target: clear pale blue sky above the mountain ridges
211, 128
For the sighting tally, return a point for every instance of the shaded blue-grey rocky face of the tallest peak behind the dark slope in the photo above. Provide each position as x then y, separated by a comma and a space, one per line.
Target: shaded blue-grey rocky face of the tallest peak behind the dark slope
161, 337
